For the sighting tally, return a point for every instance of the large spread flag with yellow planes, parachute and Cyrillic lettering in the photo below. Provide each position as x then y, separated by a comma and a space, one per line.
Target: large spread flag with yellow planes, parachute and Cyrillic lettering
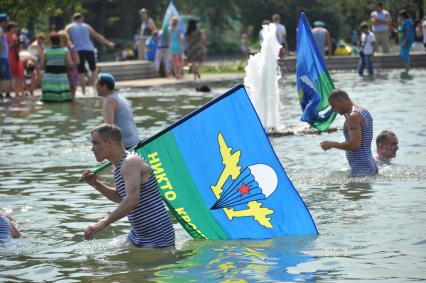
220, 176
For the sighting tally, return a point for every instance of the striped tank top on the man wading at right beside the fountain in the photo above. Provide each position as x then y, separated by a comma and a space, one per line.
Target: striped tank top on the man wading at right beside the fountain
361, 160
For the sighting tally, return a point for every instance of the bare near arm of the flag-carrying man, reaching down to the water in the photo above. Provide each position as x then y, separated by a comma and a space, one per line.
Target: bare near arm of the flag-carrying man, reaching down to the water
131, 171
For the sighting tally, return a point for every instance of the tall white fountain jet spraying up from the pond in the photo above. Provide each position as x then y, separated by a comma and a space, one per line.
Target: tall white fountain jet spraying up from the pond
261, 79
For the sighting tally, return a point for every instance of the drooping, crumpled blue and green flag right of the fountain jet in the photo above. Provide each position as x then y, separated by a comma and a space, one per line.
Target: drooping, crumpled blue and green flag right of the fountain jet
313, 81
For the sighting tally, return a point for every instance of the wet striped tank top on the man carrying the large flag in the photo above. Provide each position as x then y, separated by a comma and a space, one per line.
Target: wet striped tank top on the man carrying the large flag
151, 225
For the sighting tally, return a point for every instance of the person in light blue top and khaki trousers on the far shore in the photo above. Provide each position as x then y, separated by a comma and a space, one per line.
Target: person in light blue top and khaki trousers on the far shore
381, 20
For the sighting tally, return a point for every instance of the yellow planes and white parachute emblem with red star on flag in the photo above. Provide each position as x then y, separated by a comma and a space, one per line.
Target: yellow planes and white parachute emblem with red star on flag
248, 186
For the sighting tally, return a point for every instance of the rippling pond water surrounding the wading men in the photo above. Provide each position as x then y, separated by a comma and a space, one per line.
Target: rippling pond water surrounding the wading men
370, 228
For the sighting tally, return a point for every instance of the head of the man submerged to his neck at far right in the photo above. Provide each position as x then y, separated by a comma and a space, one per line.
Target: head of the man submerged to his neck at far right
387, 145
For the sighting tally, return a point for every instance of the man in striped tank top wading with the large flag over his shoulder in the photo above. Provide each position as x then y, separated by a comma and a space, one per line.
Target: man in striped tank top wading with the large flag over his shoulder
136, 192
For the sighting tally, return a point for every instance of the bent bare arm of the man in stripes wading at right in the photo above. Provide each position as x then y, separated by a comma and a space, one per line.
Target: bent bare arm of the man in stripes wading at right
353, 122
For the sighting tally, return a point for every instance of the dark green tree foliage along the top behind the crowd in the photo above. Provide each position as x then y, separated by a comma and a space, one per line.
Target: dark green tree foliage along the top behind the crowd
120, 19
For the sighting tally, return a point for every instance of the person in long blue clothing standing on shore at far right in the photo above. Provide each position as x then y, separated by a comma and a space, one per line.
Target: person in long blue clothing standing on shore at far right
406, 37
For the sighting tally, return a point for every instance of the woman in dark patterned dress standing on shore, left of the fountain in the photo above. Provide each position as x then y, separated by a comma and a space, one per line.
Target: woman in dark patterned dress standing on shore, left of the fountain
196, 52
